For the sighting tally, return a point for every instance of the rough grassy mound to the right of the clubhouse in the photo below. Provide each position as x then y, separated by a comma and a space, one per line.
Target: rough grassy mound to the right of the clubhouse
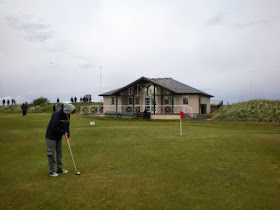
253, 110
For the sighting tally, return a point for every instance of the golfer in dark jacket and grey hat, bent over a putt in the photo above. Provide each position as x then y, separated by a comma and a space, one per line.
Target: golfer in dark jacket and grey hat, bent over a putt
58, 126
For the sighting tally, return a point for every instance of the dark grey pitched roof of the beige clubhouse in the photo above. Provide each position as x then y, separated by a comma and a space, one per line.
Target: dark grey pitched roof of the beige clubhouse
170, 84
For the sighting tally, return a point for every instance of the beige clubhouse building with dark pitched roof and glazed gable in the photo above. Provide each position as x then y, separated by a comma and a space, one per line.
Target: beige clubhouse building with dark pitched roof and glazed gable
158, 96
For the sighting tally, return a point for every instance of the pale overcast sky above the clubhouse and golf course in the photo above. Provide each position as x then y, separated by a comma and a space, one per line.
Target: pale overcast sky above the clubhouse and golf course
227, 48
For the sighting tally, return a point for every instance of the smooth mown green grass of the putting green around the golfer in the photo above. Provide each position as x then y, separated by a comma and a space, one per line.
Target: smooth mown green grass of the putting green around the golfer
137, 164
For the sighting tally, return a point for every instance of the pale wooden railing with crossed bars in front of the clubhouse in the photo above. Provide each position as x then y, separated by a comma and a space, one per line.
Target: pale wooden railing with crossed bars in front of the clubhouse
160, 109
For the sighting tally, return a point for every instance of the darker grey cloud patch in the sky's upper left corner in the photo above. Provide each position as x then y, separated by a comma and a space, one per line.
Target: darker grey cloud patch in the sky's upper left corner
35, 30
